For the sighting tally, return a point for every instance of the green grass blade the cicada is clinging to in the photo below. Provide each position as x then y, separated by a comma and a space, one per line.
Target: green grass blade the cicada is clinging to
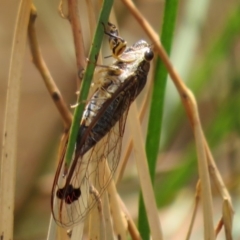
86, 83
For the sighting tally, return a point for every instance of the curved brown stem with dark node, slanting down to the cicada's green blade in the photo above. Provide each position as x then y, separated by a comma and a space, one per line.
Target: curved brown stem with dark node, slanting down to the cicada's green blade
46, 75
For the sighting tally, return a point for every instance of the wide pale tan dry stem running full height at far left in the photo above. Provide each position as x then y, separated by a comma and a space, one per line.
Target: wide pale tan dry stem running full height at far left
8, 157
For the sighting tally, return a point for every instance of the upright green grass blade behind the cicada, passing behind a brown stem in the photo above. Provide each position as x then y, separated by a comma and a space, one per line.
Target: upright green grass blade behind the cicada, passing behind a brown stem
156, 110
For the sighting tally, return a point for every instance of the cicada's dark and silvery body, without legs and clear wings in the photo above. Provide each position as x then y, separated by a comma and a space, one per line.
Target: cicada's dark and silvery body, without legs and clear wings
113, 98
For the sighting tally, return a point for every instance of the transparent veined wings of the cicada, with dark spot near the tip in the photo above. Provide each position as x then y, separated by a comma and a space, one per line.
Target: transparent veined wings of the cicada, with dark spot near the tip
72, 200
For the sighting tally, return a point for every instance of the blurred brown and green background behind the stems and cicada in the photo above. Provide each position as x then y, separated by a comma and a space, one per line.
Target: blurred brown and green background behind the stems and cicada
206, 53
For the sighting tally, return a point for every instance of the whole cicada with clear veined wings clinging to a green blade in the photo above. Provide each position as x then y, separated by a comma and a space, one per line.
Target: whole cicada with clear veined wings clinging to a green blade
101, 130
